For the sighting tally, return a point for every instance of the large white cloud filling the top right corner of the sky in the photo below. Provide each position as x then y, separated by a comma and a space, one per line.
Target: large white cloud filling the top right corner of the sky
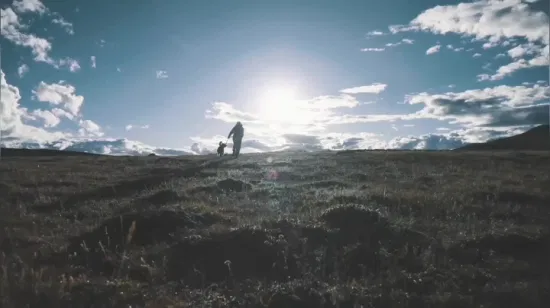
495, 22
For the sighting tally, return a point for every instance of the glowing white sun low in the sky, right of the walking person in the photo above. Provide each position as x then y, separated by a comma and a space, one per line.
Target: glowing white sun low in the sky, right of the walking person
279, 104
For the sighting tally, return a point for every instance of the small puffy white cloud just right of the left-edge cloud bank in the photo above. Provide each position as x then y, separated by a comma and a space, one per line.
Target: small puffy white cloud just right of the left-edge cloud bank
59, 94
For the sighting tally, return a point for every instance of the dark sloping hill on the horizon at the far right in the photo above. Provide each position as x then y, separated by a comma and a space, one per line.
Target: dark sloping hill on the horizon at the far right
535, 139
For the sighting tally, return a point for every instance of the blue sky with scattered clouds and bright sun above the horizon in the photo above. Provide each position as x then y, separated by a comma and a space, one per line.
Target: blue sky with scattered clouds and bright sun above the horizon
173, 77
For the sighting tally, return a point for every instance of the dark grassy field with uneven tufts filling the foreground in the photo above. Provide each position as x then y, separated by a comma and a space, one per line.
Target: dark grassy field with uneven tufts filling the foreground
349, 229
